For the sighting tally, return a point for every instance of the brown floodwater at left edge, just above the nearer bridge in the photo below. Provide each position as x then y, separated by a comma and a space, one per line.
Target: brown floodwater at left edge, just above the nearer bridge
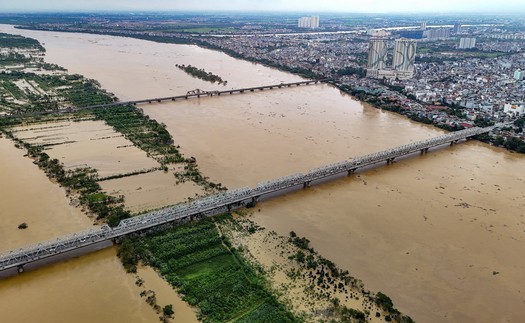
48, 215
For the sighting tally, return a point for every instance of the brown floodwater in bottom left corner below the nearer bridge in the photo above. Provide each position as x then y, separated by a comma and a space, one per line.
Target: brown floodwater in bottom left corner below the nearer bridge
92, 288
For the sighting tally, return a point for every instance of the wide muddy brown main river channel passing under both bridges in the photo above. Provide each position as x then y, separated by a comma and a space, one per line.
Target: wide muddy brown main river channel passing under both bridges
441, 234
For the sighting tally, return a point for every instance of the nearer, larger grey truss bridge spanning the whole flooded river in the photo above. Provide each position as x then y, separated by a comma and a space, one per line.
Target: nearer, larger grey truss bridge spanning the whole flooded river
16, 260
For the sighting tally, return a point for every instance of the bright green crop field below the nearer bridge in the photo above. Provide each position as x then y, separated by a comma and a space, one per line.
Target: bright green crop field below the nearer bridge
197, 260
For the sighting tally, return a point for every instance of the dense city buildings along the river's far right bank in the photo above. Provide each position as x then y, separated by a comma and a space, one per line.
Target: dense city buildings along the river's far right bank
449, 86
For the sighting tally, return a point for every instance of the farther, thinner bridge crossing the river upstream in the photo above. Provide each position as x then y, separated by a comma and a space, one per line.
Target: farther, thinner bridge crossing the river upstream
197, 93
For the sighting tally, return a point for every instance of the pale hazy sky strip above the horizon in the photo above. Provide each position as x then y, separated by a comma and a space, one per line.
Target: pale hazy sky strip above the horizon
375, 6
